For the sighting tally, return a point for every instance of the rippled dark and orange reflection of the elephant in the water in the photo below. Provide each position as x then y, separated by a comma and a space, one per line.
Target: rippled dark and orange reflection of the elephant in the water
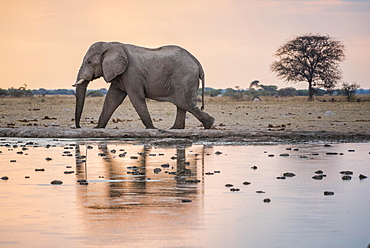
144, 187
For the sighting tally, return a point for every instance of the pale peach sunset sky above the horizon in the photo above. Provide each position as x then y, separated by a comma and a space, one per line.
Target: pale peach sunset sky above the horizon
43, 42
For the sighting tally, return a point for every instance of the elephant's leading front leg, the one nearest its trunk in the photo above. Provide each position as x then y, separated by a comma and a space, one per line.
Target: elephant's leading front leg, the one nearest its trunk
113, 99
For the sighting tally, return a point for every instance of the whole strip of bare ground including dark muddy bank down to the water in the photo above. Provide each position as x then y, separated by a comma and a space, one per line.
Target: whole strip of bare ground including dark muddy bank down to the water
288, 119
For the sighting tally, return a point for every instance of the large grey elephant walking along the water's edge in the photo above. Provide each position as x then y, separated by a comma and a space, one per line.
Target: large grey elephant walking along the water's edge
168, 73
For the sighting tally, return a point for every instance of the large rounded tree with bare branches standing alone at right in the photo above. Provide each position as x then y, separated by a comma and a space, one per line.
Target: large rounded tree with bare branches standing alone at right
310, 58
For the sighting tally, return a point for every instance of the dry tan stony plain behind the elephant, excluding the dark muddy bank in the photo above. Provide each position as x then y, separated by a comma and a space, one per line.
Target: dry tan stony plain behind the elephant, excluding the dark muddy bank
271, 114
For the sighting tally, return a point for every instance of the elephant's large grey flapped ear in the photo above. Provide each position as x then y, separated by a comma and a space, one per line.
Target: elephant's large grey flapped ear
114, 62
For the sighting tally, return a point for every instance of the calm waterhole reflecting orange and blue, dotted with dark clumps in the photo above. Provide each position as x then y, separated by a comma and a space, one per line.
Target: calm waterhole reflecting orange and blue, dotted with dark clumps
127, 204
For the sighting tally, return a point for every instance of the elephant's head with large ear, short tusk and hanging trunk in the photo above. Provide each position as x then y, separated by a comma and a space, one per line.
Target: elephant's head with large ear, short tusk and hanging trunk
102, 59
